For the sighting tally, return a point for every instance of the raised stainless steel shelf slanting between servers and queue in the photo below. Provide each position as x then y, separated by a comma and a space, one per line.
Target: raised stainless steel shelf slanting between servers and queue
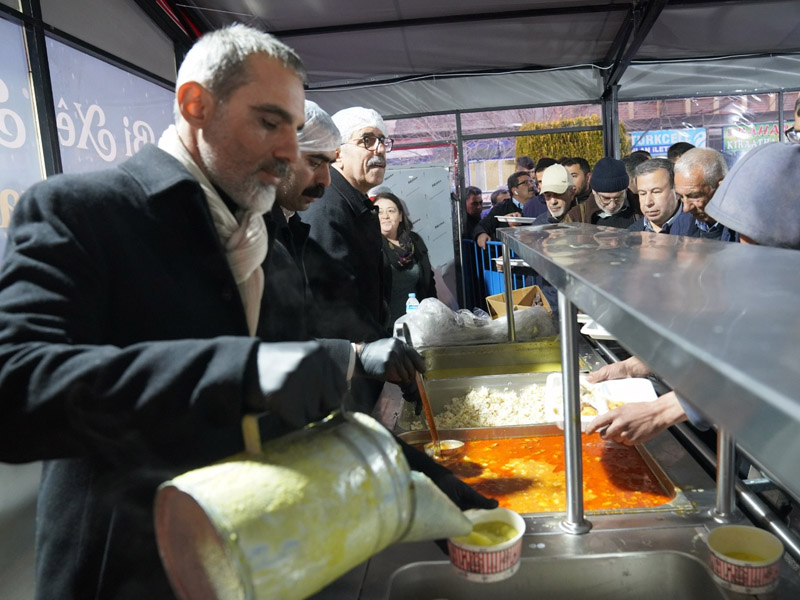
718, 322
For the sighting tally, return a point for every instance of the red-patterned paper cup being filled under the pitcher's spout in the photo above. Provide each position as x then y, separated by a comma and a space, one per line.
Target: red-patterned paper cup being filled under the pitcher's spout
489, 563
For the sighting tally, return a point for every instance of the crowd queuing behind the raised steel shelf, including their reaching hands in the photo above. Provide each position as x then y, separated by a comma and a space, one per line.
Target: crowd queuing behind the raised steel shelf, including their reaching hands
689, 193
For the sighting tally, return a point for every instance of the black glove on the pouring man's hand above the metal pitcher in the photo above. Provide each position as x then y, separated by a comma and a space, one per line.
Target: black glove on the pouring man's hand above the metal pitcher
298, 381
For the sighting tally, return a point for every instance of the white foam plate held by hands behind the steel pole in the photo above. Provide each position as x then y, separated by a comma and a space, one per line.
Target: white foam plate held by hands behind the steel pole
603, 396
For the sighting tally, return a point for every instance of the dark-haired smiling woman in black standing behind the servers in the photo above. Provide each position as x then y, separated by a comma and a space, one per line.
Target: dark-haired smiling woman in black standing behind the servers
405, 252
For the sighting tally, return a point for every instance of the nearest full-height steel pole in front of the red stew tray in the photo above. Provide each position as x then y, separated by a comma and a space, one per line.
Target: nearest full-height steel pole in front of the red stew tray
575, 522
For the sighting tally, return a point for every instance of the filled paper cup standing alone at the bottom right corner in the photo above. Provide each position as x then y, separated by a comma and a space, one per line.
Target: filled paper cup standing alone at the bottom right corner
745, 559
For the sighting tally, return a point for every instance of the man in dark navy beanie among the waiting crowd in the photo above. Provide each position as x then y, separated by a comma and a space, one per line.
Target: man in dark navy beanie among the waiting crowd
609, 185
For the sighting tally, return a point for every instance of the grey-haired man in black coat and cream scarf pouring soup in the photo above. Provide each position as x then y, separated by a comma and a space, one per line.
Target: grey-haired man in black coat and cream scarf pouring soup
131, 316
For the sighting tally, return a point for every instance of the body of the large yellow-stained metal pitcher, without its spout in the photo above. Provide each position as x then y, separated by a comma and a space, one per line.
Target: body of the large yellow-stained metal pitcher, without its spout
287, 521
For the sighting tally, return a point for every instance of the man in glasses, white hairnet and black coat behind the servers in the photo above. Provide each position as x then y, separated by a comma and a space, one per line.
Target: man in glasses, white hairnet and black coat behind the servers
347, 277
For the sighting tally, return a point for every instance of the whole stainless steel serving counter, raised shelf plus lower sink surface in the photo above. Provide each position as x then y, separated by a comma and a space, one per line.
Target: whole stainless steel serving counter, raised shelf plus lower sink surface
718, 323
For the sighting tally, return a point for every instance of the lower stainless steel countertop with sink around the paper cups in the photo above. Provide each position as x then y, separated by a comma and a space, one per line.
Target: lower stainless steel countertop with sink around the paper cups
631, 553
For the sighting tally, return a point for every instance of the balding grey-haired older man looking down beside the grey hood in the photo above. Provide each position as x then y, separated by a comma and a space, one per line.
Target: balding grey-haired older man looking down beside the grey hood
698, 174
